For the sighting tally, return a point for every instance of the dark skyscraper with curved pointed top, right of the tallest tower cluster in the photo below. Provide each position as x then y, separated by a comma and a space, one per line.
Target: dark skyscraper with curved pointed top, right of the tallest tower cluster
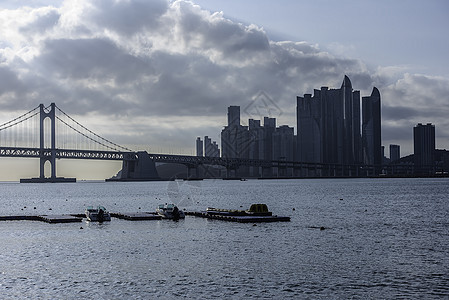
371, 129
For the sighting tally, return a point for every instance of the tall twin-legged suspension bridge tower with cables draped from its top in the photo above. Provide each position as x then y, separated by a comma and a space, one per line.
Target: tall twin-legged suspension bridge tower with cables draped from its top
43, 158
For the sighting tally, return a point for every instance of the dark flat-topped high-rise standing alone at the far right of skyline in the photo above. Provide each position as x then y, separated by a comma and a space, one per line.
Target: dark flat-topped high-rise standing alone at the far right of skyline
424, 147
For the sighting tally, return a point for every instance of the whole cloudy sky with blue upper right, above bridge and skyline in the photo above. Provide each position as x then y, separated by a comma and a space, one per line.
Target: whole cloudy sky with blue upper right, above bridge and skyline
155, 74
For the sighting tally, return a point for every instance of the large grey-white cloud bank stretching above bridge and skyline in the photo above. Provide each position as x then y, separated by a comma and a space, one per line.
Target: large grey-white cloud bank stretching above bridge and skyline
167, 59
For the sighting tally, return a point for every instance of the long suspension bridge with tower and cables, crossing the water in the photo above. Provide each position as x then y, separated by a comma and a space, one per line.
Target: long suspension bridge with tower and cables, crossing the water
48, 133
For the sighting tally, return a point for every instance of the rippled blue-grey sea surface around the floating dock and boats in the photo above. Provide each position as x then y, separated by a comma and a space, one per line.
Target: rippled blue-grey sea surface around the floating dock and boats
384, 239
